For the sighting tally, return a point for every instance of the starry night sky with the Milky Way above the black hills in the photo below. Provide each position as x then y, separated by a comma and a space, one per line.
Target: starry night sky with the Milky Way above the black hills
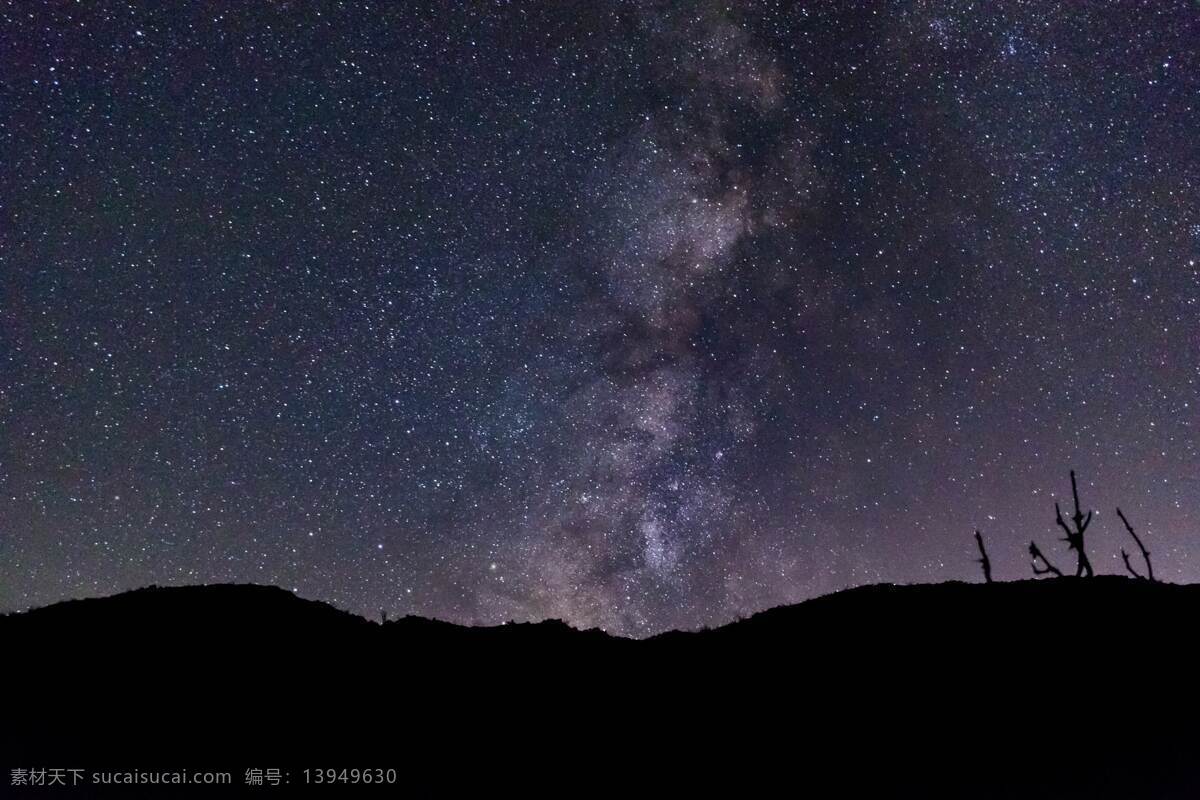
639, 315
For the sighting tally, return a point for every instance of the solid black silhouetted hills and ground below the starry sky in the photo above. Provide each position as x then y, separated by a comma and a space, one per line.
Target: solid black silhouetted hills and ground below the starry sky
1048, 689
